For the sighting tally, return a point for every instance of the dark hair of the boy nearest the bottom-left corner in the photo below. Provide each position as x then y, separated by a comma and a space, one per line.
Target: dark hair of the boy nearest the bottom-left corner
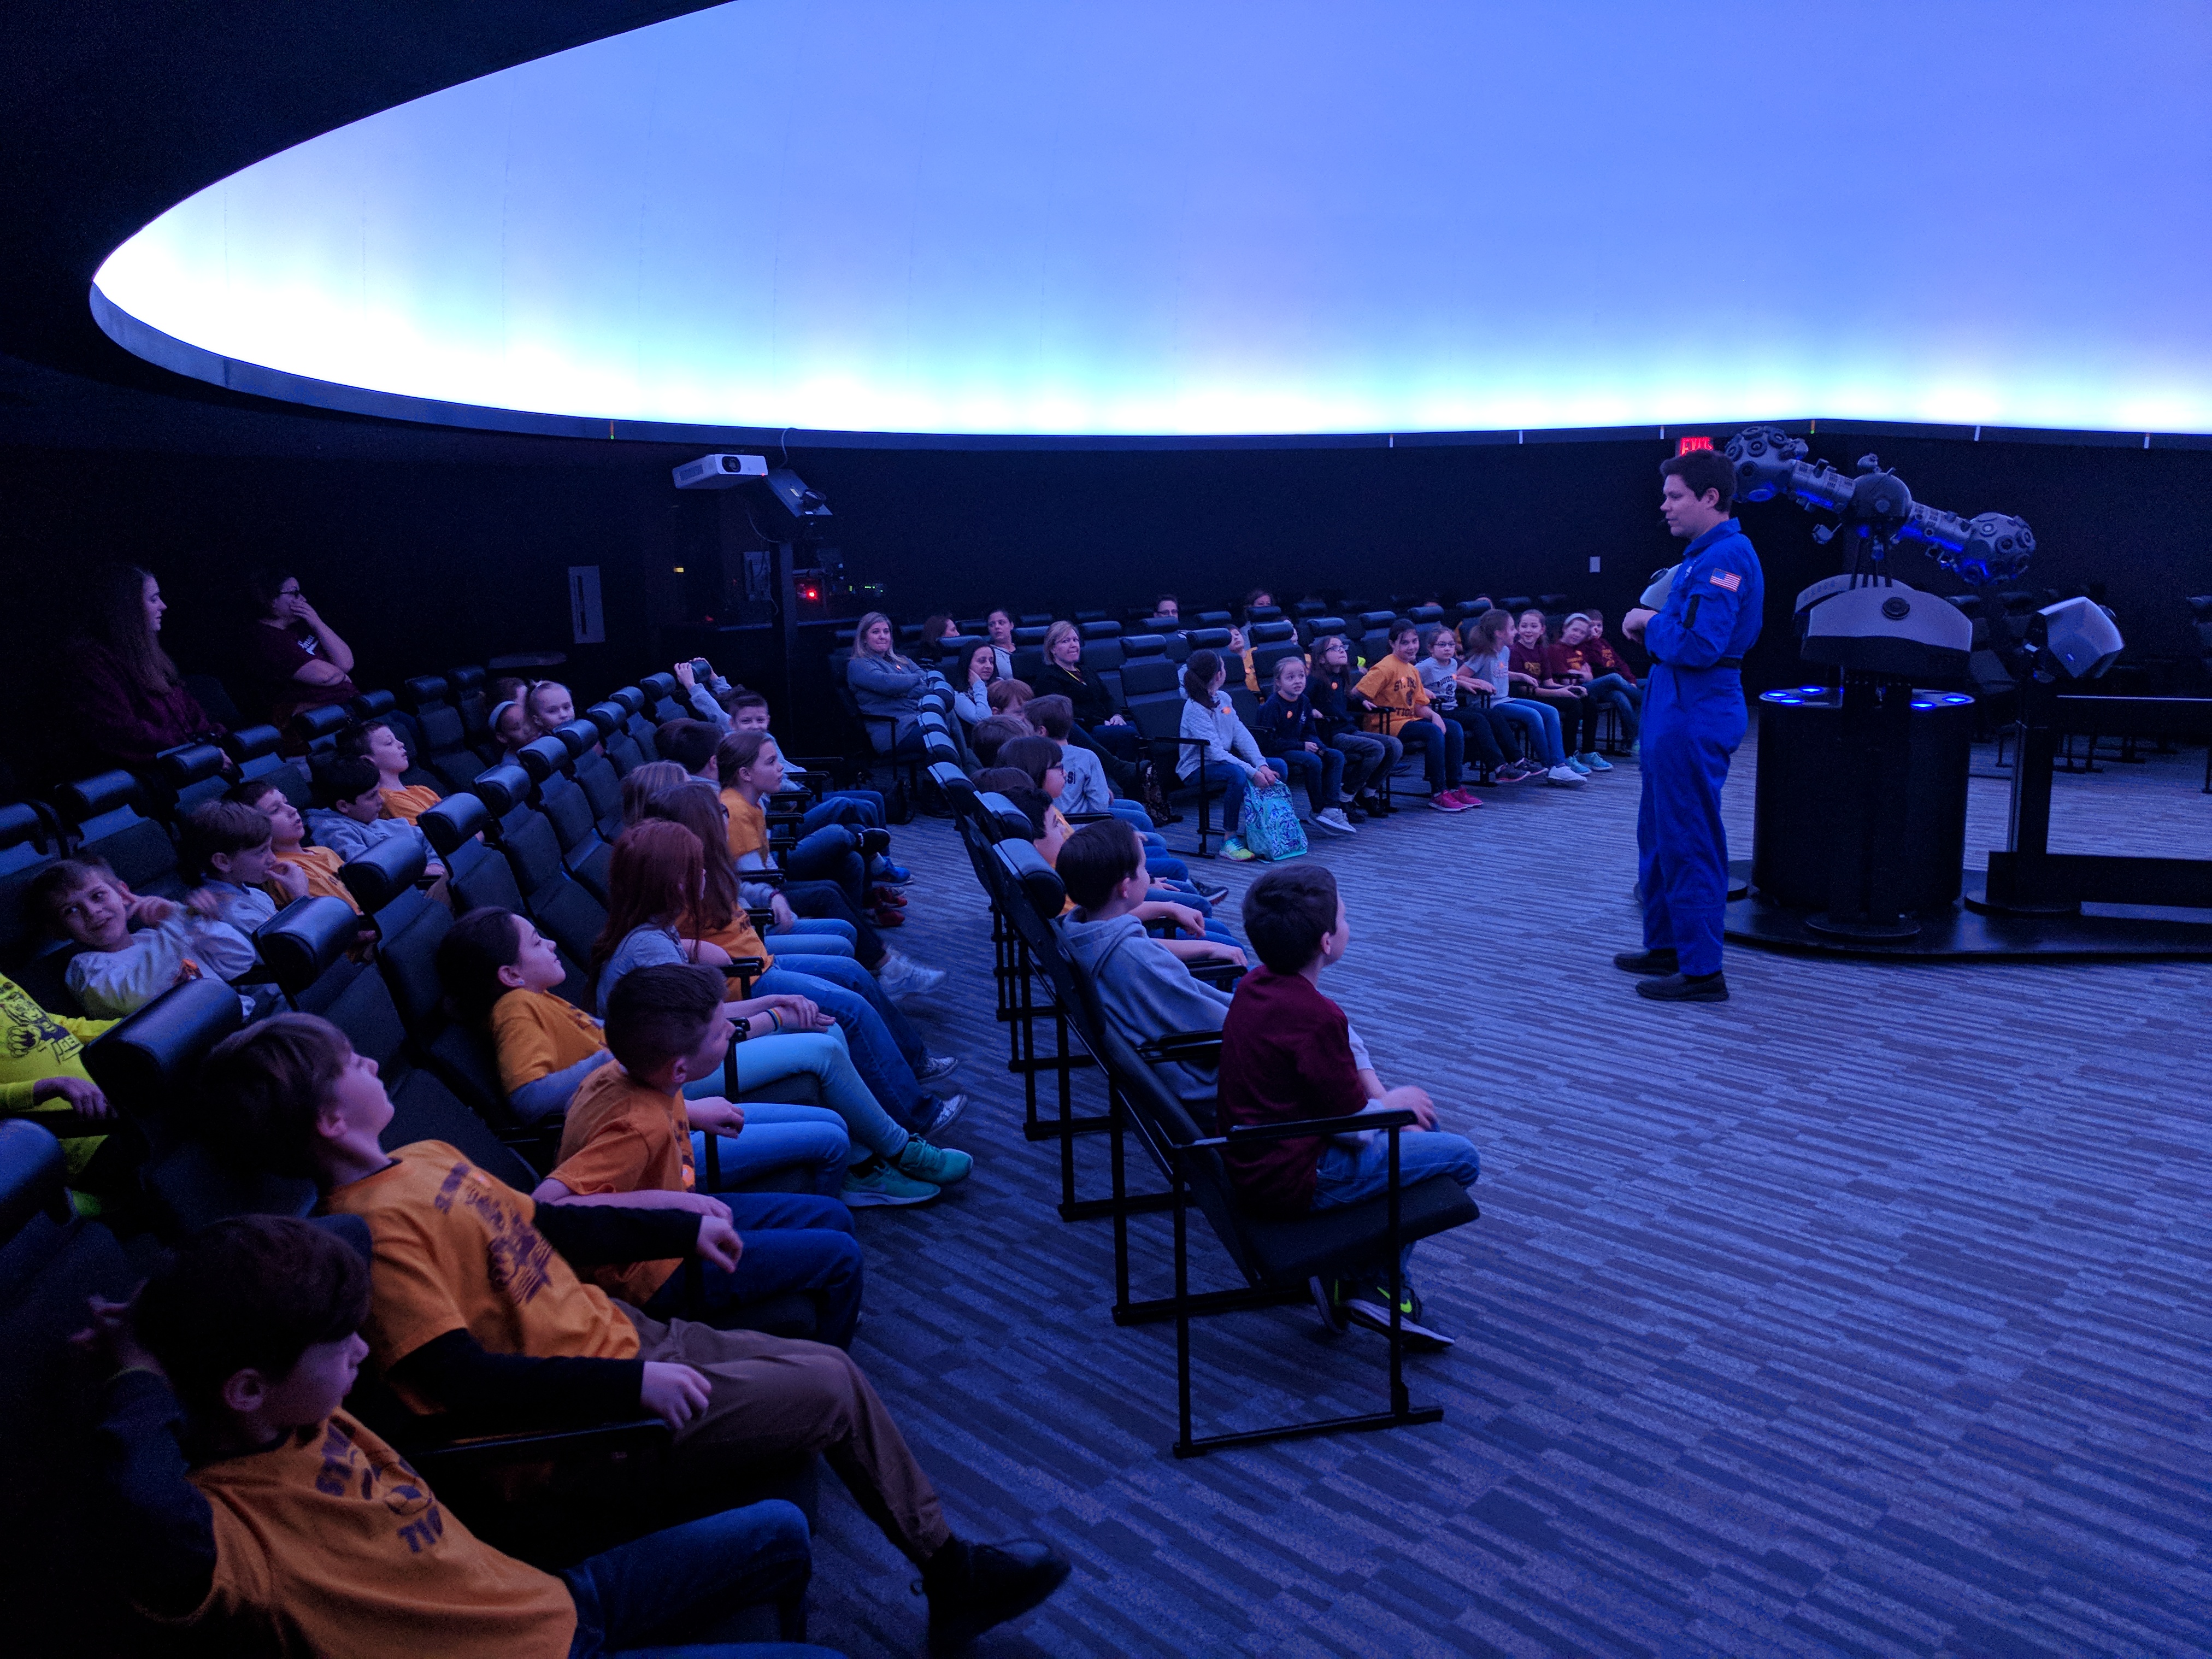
253, 1293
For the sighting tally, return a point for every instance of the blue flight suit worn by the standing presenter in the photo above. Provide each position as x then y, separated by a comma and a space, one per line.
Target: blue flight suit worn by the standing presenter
1693, 720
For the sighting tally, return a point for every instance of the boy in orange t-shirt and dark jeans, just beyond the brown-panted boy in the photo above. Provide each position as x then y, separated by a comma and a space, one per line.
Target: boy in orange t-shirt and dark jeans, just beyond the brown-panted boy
629, 1138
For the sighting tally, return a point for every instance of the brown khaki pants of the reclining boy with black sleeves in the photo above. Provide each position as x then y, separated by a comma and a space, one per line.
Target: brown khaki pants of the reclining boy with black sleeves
773, 1397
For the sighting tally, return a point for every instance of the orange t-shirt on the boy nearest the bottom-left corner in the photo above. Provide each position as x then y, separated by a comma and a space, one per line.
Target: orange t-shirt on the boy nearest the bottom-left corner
333, 1545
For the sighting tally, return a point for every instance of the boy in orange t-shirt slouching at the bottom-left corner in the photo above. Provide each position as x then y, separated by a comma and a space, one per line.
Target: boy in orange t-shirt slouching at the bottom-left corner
267, 1519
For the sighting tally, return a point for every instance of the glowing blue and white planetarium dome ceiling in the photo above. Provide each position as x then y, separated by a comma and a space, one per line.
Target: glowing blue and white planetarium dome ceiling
1191, 220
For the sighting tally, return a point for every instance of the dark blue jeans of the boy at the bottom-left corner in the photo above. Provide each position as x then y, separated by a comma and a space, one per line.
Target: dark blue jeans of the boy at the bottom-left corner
689, 1580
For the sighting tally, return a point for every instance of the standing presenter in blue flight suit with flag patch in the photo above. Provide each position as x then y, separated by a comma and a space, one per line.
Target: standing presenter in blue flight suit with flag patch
1693, 720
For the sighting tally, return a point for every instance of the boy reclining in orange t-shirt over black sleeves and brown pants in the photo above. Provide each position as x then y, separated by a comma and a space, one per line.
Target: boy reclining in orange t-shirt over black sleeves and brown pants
477, 1315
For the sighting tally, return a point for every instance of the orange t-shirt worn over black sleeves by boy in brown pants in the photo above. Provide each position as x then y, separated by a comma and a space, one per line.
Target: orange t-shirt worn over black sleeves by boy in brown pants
455, 1251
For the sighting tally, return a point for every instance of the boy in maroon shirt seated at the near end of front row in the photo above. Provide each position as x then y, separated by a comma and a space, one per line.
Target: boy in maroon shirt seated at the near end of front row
1286, 1056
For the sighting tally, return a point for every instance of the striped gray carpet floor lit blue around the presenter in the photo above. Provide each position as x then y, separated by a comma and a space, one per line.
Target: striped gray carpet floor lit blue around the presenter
1864, 1315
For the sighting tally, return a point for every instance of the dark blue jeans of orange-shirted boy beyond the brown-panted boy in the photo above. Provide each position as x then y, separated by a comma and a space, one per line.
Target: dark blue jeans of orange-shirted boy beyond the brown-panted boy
795, 1244
